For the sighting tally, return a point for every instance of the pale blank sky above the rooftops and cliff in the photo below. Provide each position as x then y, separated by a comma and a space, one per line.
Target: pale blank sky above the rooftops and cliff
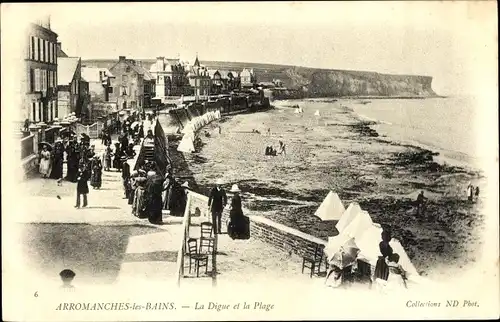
455, 42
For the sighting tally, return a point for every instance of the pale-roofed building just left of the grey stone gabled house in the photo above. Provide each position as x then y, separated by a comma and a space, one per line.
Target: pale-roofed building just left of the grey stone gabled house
101, 83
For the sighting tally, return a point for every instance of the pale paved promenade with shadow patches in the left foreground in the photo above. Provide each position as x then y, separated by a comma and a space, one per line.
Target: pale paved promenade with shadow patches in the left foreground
145, 250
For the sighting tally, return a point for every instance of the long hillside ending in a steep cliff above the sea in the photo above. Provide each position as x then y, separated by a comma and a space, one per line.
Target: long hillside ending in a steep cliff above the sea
316, 82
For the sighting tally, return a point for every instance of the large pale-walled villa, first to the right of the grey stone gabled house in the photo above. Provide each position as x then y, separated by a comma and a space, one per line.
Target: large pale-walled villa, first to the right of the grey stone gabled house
169, 76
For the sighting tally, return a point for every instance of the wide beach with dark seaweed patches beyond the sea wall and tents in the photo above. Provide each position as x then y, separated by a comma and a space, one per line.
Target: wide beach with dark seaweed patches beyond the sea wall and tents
340, 151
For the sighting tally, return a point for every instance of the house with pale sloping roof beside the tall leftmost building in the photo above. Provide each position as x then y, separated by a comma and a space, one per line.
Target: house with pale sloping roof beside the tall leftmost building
73, 90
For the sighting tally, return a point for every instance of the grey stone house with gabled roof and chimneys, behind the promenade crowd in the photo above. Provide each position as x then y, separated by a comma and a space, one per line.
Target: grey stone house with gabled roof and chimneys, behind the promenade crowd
128, 90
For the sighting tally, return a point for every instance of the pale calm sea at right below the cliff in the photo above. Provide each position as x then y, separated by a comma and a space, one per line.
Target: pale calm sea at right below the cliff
446, 125
